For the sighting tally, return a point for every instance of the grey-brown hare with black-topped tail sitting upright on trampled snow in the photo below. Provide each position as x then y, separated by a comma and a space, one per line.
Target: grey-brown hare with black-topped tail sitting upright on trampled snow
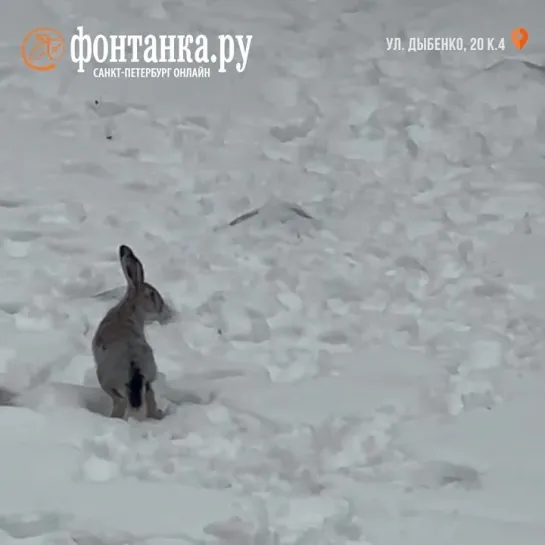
125, 363
